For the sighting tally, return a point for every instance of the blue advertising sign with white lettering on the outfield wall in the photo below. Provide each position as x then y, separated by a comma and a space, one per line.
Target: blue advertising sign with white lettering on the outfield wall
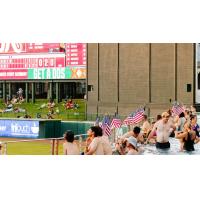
22, 128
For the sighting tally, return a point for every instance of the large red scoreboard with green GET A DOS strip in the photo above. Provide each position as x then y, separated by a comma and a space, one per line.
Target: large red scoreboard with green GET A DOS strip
42, 61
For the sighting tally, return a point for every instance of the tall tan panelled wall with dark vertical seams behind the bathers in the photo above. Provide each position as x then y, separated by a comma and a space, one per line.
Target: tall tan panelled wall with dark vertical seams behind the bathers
122, 77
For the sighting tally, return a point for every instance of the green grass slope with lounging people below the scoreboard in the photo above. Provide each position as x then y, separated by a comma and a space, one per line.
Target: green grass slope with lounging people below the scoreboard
60, 113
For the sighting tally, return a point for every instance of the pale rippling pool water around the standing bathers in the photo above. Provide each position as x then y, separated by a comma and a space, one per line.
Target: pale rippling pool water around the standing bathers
174, 149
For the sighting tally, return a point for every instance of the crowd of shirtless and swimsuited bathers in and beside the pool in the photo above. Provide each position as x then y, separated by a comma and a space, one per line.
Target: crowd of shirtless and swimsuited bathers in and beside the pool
183, 127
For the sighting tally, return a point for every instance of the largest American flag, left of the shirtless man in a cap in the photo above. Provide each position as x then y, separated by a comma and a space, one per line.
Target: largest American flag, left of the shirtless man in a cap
135, 117
